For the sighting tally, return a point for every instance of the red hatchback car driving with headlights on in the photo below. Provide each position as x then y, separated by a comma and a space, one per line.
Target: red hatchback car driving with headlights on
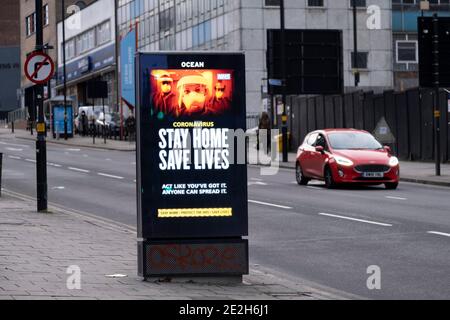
340, 156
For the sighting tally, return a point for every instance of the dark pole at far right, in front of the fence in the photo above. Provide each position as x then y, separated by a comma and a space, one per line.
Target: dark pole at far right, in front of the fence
437, 136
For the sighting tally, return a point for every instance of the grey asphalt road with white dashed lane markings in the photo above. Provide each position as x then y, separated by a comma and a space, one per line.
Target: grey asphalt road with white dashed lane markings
325, 237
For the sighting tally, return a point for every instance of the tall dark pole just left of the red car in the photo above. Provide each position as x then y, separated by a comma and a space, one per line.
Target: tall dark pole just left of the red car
284, 130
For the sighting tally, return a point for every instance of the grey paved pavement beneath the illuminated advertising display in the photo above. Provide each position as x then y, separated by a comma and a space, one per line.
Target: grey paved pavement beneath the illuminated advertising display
37, 251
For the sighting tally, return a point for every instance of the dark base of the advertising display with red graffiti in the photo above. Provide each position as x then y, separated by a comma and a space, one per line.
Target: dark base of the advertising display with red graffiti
212, 259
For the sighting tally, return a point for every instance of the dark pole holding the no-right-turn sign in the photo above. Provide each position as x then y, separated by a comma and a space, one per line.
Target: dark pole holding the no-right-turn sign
41, 147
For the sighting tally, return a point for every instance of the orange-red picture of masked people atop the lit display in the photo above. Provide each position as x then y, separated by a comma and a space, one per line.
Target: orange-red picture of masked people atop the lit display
192, 92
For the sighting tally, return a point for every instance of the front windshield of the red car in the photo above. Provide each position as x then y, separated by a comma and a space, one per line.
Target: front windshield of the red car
353, 141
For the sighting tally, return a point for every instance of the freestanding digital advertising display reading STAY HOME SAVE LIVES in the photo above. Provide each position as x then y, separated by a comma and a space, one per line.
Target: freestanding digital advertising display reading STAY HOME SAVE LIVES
192, 188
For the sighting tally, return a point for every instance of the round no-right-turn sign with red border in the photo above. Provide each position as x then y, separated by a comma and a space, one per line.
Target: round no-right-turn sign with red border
39, 68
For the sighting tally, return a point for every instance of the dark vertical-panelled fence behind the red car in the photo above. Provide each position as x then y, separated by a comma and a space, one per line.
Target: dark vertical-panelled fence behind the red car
409, 115
